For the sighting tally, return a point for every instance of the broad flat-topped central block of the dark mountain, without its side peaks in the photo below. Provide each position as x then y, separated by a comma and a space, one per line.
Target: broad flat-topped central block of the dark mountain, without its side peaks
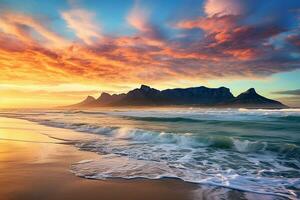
147, 96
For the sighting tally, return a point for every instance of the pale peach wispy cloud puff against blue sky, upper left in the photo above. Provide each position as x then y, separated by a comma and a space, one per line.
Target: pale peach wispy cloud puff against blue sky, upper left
84, 25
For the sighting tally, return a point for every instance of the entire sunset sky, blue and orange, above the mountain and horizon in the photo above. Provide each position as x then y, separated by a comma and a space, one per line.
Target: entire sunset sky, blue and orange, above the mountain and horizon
58, 52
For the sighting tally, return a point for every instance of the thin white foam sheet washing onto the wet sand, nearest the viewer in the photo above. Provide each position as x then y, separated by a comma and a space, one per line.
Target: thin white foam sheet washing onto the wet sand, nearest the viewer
113, 166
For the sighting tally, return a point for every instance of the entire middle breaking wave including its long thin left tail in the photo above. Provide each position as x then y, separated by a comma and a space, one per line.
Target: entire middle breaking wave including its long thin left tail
188, 140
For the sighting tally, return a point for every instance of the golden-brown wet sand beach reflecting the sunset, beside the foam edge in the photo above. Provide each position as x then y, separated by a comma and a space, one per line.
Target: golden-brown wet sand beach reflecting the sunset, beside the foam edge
34, 166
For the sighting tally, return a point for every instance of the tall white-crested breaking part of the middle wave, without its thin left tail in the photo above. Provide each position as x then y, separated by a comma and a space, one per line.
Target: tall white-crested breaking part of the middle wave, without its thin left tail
219, 142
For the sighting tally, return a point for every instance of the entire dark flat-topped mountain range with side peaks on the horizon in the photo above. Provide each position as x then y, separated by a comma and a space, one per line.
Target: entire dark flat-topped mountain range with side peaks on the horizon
196, 96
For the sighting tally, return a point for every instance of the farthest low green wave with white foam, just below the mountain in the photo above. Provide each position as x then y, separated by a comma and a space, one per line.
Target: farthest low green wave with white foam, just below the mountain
211, 116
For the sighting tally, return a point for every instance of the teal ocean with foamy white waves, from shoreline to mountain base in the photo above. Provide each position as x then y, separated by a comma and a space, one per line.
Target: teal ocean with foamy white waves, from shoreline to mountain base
249, 150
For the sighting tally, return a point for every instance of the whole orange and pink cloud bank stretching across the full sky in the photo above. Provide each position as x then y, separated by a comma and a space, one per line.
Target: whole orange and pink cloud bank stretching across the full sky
227, 46
